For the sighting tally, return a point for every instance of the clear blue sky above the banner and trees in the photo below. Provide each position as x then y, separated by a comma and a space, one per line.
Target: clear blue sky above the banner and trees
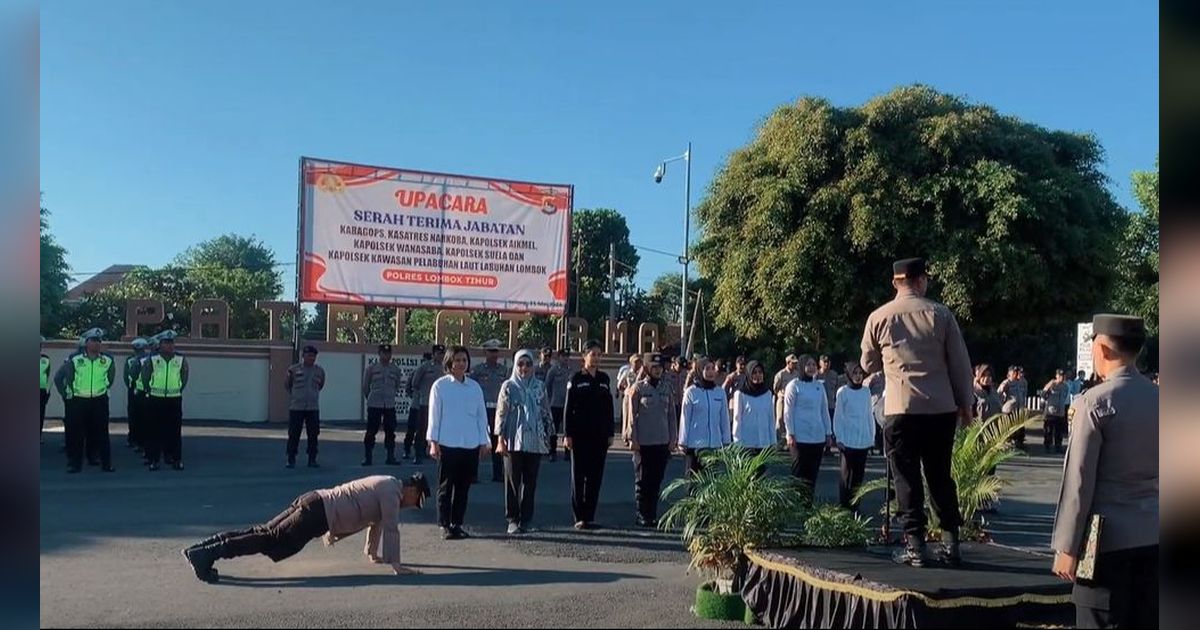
169, 123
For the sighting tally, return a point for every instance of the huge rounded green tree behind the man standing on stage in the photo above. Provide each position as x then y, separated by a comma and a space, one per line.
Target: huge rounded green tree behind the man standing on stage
801, 226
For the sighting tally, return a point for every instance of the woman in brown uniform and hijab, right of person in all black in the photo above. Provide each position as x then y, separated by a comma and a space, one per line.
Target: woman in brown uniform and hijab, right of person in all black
651, 434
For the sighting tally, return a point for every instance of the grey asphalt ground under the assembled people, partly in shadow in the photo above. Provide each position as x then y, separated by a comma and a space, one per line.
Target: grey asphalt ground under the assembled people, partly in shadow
110, 544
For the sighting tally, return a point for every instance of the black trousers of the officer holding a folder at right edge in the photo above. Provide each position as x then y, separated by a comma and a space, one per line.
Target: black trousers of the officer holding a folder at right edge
1124, 592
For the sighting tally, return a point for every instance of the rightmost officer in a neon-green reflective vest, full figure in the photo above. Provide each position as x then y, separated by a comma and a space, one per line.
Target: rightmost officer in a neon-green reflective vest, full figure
165, 377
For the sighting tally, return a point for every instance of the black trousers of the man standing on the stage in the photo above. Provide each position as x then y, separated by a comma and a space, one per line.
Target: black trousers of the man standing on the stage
917, 442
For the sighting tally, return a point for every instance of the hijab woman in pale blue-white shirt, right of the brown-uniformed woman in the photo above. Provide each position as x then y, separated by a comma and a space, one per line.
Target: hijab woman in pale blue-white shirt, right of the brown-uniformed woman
705, 419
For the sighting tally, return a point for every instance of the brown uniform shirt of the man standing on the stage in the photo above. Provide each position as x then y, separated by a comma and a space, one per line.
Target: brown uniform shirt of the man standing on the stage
919, 346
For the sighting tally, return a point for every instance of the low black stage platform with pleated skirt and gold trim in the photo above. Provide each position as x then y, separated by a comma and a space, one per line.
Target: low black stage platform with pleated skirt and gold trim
997, 587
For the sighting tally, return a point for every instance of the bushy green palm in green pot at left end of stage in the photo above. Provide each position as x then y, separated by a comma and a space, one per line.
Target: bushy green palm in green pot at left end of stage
725, 509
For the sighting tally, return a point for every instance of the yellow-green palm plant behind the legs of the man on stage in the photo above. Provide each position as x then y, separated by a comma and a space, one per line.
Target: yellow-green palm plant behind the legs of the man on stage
980, 449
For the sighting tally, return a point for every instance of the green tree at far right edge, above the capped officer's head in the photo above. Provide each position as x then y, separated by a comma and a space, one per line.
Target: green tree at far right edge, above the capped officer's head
1137, 289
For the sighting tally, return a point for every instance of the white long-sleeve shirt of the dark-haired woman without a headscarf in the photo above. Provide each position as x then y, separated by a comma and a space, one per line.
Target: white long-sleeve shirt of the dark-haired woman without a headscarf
458, 415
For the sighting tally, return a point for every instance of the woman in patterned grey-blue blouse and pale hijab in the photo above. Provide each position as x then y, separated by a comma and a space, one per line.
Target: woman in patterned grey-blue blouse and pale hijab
524, 425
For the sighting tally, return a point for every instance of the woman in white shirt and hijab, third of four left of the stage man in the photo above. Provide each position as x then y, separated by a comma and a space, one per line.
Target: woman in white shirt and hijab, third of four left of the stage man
808, 424
